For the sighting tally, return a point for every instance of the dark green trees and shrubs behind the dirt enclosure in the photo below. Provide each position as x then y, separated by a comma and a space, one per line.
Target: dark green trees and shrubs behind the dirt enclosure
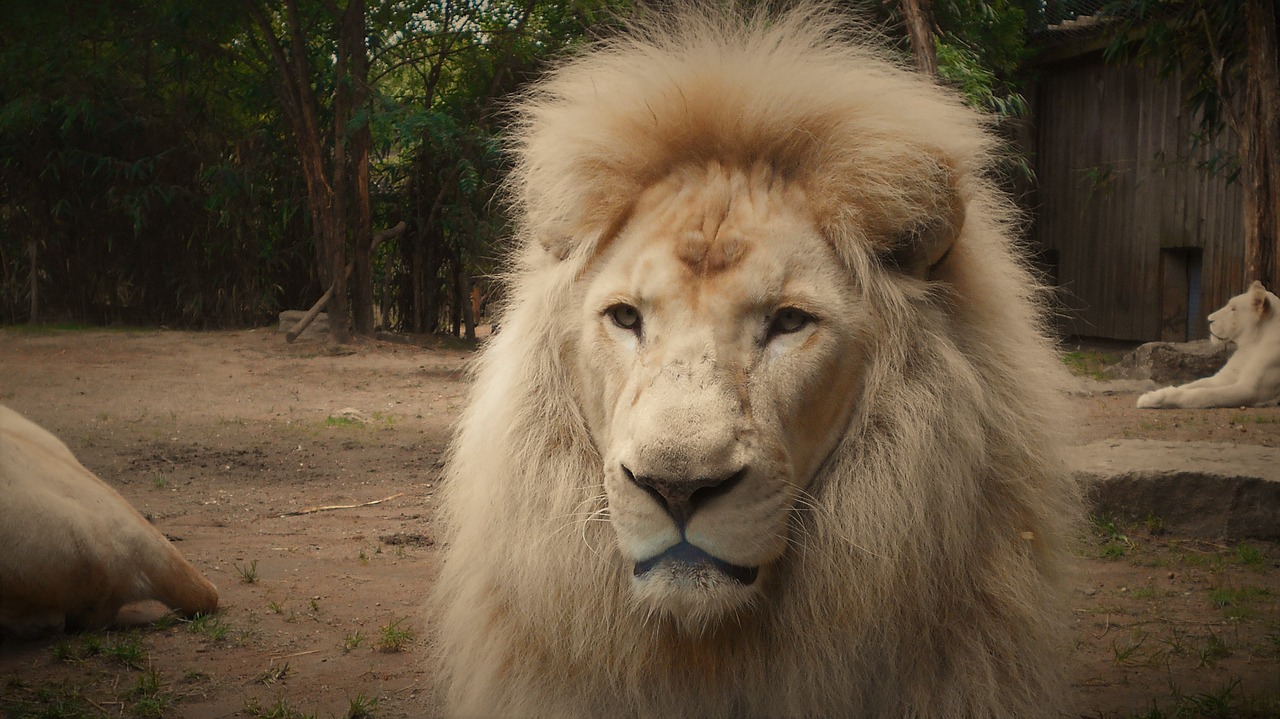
208, 164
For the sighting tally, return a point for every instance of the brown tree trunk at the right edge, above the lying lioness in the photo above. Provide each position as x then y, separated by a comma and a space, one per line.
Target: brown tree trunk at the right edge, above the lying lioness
1260, 145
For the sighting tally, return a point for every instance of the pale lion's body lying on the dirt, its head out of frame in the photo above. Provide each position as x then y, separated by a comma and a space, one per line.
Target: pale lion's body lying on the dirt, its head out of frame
72, 549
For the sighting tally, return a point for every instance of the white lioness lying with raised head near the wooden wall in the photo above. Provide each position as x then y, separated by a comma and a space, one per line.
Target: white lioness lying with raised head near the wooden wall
1252, 375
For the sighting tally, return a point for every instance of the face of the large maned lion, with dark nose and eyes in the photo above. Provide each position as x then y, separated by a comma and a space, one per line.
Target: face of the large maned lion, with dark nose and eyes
721, 352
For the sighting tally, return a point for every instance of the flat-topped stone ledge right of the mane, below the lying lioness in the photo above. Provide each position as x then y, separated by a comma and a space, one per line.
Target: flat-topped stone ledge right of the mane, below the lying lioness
1201, 489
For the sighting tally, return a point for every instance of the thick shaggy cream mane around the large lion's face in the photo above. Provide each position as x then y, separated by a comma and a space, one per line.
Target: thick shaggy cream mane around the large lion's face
927, 578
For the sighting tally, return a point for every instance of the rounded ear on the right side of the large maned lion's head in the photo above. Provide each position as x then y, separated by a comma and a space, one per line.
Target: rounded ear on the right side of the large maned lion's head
924, 245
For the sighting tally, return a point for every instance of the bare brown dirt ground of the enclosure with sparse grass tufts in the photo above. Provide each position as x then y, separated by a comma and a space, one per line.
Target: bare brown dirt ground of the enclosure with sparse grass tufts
239, 446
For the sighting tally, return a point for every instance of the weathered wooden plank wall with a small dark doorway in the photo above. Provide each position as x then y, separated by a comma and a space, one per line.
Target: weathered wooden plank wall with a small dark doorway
1123, 214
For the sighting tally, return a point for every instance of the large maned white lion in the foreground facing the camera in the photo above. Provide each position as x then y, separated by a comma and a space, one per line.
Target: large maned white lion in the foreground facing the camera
772, 428
